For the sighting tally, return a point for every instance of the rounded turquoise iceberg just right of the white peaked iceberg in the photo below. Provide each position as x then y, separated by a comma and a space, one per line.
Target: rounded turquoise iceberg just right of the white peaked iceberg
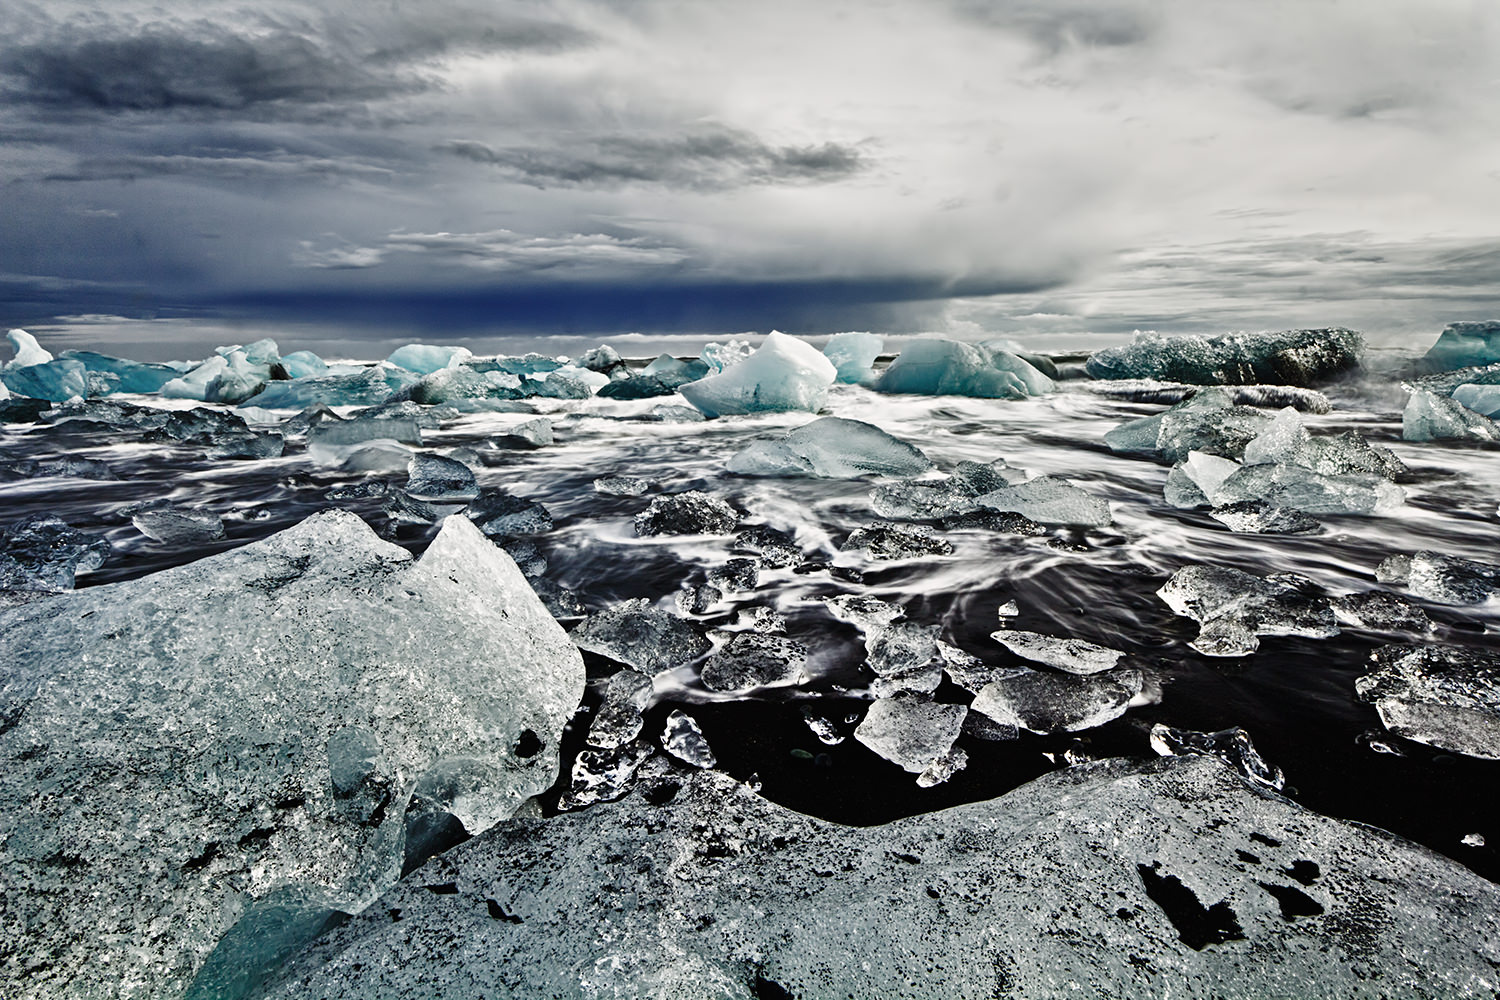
952, 368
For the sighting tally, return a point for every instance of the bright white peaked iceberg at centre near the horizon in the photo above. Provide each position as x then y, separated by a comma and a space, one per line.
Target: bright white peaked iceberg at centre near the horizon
784, 374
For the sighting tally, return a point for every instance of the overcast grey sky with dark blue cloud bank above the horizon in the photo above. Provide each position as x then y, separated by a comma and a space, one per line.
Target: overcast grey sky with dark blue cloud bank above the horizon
1037, 169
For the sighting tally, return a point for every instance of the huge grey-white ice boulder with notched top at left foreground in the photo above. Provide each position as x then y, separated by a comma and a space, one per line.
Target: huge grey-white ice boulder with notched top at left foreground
223, 753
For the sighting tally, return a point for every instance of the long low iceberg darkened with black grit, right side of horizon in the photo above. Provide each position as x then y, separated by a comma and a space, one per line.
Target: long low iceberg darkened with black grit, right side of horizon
1291, 358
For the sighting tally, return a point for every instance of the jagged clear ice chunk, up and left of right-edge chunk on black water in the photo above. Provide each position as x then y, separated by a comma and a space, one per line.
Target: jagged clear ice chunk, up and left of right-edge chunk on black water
1234, 608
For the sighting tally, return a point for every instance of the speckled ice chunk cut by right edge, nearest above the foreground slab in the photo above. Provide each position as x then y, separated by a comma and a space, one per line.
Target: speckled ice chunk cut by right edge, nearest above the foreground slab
1441, 696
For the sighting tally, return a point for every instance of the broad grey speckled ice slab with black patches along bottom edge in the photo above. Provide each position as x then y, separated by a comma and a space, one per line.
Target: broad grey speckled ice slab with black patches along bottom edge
1111, 879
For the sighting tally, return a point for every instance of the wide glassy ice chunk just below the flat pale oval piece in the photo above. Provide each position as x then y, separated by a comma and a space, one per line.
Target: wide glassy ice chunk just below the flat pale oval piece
1046, 702
